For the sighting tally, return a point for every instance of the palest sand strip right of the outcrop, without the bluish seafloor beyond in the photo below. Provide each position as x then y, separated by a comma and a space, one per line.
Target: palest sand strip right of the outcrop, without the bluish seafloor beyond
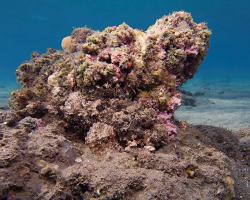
231, 114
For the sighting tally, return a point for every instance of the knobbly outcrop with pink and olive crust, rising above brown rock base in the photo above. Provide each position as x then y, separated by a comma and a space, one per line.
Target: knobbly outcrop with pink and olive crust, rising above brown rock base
116, 87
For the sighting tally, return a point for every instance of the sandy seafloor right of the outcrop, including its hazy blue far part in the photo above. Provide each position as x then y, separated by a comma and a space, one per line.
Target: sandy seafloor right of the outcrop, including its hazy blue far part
218, 102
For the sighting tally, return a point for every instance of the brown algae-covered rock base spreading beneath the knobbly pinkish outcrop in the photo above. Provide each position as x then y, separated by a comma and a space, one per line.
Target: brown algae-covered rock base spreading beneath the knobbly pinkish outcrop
39, 161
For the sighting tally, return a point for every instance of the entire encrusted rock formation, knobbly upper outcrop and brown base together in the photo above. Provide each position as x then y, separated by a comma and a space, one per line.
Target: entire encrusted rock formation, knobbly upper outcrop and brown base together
96, 121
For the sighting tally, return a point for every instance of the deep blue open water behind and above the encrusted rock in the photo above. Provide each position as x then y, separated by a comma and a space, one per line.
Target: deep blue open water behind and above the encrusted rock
35, 25
